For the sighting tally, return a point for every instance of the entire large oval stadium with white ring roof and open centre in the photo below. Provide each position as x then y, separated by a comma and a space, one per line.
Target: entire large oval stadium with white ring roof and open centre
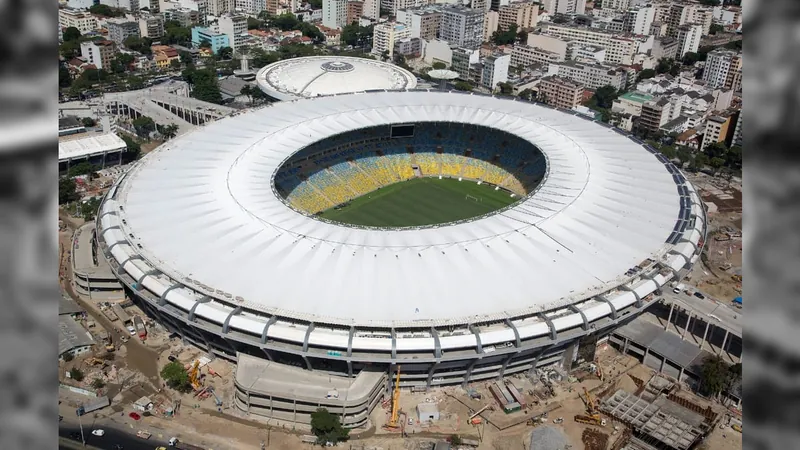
283, 239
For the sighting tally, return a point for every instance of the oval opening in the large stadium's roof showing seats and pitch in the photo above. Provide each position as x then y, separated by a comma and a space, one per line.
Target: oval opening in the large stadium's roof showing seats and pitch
424, 174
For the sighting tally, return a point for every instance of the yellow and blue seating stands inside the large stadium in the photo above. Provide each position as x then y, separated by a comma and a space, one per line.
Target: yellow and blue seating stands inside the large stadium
339, 169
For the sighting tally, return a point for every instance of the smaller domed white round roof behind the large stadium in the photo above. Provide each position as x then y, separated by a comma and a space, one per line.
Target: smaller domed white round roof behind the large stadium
328, 75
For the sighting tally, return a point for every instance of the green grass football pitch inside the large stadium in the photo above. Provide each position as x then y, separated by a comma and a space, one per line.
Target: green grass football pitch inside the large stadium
421, 201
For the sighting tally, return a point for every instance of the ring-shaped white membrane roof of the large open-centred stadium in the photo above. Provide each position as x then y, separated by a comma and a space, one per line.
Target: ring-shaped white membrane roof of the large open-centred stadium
202, 210
